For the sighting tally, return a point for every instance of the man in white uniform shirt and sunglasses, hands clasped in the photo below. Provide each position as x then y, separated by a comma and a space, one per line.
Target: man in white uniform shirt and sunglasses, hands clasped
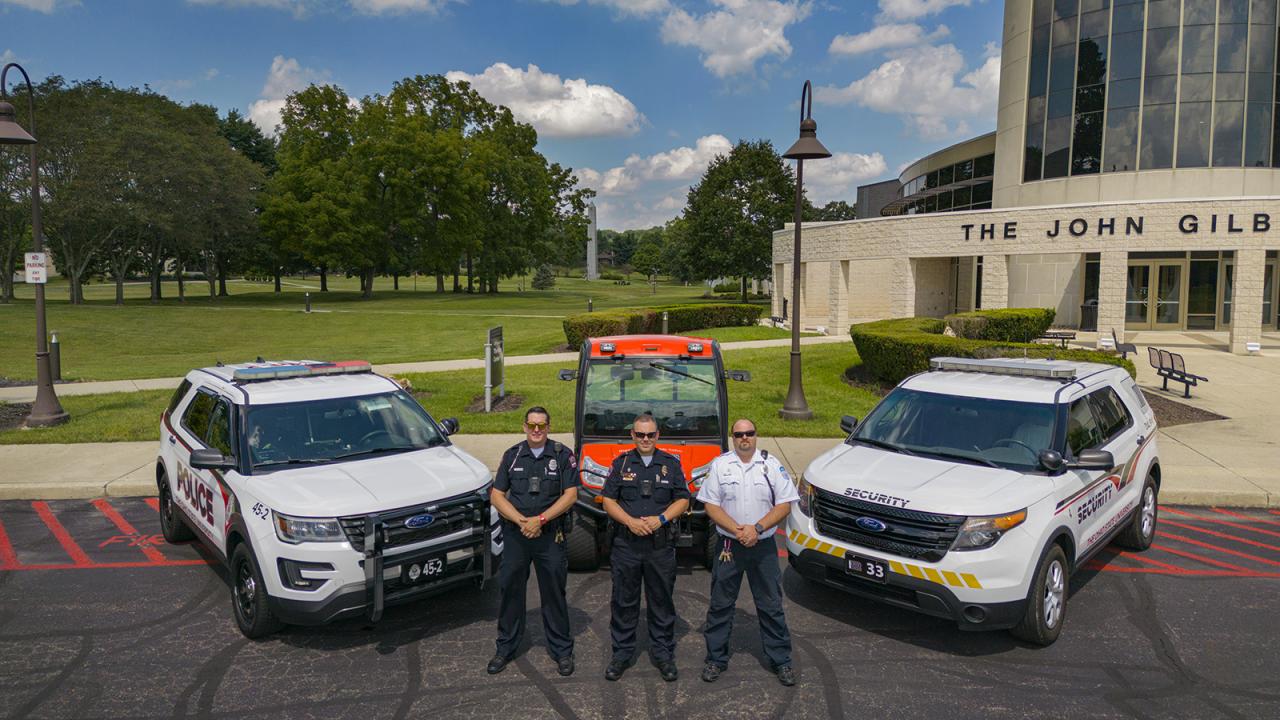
748, 495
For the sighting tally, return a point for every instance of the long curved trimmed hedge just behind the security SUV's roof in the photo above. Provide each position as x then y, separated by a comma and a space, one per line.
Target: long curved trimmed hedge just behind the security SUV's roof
894, 350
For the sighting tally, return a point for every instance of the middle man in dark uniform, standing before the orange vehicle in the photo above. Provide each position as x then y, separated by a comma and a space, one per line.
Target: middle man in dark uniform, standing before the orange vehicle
644, 495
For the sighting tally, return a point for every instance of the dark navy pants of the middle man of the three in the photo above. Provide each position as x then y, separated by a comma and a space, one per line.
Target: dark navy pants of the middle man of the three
651, 562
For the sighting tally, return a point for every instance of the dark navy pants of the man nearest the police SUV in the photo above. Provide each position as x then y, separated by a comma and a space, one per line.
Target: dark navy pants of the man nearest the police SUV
552, 567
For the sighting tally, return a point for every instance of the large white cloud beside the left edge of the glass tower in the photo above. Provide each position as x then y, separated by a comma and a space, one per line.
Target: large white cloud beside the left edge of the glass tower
930, 86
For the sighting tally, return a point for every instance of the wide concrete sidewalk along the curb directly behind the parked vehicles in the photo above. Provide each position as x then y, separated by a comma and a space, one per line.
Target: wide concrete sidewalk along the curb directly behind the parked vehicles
127, 470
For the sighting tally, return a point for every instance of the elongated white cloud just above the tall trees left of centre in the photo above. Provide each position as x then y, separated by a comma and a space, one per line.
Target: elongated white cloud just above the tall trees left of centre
556, 107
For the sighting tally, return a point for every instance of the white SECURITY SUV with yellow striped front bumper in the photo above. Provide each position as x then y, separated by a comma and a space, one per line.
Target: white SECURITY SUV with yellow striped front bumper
975, 491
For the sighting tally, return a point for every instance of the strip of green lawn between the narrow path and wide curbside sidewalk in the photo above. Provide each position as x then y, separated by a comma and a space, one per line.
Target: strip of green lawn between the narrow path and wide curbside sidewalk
134, 416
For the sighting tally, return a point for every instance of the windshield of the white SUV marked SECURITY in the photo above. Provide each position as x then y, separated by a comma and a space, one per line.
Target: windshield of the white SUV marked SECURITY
968, 430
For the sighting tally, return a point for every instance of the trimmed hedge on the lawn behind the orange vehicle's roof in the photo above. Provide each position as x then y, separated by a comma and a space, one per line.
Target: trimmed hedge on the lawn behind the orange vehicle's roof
641, 321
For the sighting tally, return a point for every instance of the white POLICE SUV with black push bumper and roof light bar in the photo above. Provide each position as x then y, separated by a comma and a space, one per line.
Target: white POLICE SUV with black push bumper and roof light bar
327, 489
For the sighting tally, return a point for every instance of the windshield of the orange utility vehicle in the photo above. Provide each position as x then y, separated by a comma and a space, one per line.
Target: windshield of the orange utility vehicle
682, 395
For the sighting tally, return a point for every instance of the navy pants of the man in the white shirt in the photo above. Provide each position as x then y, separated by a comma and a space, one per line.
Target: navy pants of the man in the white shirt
761, 567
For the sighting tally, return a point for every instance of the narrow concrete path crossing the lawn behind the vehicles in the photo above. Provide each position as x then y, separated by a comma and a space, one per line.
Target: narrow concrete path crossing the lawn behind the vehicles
28, 394
